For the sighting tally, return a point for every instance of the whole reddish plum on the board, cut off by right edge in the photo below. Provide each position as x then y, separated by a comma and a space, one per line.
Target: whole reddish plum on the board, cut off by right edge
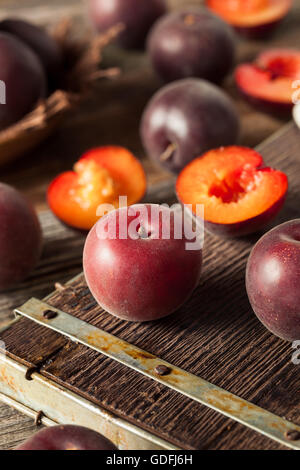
273, 280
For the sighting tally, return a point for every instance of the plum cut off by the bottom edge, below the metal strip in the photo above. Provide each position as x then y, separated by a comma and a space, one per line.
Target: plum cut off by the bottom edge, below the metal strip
67, 437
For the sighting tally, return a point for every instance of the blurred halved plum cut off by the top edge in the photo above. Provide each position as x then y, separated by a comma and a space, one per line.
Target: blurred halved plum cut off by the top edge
251, 18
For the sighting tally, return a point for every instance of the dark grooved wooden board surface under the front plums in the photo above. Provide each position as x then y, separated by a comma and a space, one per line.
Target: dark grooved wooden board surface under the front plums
215, 335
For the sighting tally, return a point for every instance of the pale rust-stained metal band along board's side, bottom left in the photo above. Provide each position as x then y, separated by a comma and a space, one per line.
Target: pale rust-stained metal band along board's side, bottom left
61, 406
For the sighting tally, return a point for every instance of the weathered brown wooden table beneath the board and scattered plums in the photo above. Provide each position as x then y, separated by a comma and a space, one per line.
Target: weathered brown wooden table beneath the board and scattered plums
110, 117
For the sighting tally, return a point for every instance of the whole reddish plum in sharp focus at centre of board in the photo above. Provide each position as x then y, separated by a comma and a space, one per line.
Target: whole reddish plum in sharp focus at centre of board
144, 271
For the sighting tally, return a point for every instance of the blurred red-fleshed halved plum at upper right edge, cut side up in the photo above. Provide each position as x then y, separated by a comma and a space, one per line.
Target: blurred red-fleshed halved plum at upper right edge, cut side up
268, 82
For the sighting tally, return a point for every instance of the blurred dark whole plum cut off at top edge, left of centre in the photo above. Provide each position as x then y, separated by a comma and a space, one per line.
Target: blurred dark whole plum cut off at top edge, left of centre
137, 16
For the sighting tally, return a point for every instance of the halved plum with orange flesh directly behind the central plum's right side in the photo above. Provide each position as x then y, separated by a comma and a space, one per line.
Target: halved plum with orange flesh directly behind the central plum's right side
238, 193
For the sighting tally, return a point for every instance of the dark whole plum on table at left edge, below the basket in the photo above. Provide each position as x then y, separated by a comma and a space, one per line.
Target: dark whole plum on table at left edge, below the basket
20, 237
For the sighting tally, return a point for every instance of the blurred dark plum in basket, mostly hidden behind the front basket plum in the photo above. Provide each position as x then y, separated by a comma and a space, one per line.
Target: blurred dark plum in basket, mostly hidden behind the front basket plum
45, 47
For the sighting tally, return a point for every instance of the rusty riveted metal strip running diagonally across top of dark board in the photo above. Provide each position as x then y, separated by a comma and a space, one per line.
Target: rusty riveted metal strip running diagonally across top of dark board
187, 384
